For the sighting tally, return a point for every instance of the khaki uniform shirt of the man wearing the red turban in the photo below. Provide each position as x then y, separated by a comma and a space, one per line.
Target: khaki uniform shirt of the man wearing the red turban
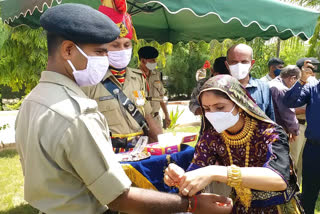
119, 120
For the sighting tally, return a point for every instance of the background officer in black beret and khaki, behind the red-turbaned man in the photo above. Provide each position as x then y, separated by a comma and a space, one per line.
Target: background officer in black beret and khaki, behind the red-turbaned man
155, 89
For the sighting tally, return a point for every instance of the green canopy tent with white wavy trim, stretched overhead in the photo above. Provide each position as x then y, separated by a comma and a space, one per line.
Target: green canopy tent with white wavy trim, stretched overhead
187, 20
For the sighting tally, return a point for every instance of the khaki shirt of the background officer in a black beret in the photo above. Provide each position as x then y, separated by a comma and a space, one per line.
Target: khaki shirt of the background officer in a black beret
156, 90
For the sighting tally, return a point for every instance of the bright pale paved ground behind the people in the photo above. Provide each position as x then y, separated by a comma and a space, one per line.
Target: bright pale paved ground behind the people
8, 117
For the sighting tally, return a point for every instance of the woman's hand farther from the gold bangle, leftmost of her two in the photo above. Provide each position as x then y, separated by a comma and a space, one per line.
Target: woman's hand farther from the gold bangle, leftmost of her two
173, 174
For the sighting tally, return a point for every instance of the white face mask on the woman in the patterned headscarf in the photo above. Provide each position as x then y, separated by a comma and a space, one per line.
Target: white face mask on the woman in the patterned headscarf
222, 120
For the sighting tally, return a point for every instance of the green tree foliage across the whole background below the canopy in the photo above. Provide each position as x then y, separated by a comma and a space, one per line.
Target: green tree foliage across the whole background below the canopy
23, 55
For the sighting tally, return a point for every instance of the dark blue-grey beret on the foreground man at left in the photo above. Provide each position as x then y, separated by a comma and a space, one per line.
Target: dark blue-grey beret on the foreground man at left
79, 23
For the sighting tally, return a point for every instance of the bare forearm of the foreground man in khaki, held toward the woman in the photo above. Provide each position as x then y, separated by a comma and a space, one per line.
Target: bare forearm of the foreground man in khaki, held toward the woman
141, 201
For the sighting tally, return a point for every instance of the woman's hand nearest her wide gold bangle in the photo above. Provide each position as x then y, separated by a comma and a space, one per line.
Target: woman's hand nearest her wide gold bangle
194, 181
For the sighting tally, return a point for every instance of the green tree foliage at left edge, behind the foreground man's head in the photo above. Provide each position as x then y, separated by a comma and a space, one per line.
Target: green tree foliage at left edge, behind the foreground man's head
23, 56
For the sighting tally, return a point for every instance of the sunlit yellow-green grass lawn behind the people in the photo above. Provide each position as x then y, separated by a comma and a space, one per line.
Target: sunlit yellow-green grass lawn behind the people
11, 182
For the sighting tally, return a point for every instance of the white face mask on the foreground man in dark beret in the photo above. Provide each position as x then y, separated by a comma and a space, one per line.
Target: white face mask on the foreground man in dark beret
97, 67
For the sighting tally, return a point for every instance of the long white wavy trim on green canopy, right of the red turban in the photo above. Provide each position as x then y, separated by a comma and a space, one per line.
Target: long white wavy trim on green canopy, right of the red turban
232, 18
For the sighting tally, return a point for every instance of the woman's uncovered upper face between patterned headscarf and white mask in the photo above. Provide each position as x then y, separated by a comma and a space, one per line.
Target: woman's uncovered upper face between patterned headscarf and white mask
215, 103
